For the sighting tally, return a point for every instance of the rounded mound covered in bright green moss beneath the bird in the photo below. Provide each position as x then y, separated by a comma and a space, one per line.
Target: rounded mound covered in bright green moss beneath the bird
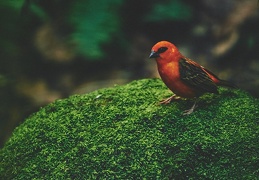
122, 133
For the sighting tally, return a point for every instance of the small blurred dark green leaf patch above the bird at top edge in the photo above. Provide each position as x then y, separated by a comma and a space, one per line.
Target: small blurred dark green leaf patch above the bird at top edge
173, 10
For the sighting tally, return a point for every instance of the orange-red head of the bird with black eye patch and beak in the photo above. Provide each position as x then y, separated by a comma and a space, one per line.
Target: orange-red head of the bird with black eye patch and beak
164, 50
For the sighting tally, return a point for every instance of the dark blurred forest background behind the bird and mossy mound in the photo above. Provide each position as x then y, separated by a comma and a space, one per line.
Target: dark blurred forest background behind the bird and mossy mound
51, 49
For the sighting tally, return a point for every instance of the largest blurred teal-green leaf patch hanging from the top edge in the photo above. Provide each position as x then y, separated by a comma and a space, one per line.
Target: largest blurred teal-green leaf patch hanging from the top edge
94, 22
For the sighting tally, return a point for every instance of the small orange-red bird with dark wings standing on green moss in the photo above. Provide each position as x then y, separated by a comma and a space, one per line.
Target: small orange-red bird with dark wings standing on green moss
184, 77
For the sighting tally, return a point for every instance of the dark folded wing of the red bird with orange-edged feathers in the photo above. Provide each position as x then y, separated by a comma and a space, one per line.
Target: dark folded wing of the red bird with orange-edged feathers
194, 76
